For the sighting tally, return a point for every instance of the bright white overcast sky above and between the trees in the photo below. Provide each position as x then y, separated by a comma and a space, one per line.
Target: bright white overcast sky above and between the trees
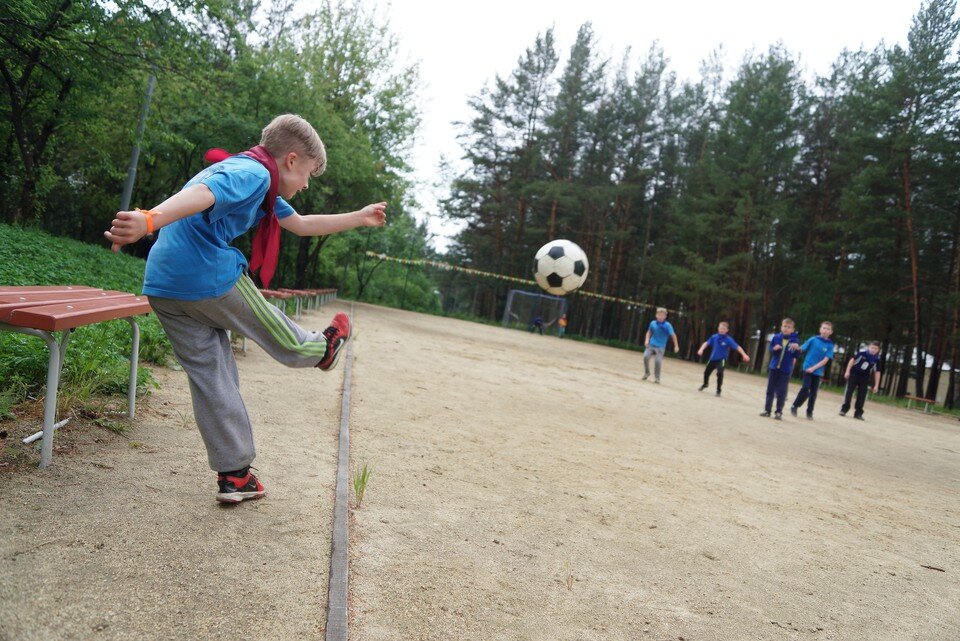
462, 45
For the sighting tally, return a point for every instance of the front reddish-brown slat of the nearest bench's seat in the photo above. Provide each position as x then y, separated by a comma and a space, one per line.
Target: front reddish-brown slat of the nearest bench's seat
62, 316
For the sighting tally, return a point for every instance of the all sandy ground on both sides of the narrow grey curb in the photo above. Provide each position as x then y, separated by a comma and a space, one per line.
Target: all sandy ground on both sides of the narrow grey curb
523, 487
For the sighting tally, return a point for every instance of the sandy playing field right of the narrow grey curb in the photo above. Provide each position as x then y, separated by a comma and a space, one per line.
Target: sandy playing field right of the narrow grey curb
526, 487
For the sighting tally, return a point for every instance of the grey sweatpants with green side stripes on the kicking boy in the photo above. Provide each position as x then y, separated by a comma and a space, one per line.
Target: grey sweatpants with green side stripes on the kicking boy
198, 332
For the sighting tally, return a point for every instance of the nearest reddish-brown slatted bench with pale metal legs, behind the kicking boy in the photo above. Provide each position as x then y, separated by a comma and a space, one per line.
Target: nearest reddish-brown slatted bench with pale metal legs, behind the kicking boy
40, 311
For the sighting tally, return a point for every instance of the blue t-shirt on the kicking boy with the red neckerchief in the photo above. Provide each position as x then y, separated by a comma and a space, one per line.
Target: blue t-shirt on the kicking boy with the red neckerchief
192, 258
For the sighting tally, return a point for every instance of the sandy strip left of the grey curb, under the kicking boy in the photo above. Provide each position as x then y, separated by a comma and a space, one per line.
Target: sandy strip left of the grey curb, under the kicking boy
121, 538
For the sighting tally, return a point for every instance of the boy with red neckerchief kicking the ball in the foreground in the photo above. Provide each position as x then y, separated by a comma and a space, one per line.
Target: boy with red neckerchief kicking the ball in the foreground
200, 289
